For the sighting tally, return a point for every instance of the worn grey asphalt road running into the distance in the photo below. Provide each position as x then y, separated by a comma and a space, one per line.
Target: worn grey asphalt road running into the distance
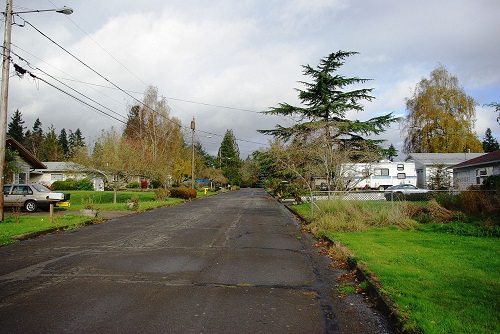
232, 263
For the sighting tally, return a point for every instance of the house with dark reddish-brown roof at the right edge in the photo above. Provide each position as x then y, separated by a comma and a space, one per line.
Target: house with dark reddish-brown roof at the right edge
475, 171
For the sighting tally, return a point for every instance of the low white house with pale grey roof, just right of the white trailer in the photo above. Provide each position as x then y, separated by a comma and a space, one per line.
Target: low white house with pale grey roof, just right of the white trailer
427, 164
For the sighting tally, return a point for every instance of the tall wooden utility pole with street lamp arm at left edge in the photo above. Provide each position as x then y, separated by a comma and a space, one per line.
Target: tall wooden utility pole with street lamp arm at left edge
5, 83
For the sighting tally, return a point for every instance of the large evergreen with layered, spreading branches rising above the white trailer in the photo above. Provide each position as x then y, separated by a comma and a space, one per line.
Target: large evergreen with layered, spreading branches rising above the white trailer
325, 104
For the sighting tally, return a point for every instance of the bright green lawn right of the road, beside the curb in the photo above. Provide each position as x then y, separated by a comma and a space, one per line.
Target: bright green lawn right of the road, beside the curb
441, 282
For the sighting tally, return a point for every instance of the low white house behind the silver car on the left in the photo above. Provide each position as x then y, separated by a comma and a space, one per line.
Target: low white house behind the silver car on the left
61, 171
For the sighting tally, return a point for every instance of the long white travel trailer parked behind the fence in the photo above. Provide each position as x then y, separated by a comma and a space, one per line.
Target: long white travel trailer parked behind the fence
378, 175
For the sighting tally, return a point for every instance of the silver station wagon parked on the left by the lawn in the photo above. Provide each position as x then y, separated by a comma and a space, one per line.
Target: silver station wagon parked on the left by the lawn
32, 196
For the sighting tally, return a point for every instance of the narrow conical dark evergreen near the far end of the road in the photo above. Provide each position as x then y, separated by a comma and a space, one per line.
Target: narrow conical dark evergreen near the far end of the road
229, 158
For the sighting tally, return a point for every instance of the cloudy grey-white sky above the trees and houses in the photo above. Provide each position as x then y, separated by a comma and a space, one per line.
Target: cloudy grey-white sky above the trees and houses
224, 61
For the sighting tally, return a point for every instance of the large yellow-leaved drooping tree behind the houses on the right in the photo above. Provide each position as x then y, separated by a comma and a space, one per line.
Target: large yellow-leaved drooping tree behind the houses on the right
440, 117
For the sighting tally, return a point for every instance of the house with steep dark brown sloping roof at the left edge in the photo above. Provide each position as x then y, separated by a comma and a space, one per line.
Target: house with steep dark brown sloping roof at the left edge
25, 163
